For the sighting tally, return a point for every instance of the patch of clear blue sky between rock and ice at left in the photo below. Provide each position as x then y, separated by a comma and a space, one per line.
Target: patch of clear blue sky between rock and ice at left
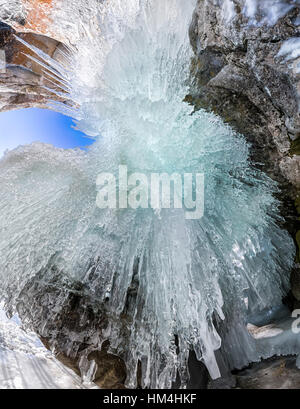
24, 126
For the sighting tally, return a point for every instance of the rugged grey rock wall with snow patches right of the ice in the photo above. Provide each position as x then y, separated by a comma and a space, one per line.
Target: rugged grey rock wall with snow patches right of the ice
246, 70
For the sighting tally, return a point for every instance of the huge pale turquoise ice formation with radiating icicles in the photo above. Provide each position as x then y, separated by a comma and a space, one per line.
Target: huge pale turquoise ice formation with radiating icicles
166, 284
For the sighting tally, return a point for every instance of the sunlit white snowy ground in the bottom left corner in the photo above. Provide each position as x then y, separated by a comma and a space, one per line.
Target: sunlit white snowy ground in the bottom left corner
26, 364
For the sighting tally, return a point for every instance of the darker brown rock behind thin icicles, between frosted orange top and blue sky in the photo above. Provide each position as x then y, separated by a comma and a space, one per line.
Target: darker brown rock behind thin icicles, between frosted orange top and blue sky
23, 82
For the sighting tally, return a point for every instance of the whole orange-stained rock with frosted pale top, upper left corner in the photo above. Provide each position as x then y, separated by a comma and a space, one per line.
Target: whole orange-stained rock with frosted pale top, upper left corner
47, 25
